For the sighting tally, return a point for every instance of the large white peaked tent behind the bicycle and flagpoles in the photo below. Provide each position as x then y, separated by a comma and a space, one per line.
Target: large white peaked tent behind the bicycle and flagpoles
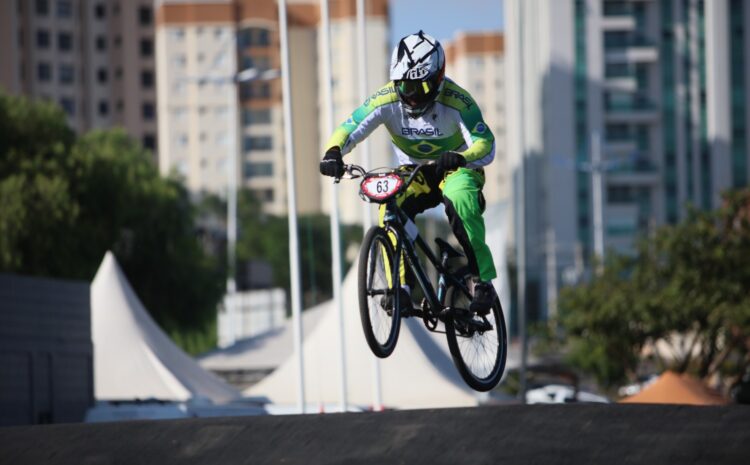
419, 374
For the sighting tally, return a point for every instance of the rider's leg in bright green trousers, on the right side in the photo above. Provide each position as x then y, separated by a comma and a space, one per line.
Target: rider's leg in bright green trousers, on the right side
464, 205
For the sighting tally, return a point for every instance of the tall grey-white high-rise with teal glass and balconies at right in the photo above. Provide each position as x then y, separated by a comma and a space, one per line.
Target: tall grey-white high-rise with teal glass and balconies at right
657, 88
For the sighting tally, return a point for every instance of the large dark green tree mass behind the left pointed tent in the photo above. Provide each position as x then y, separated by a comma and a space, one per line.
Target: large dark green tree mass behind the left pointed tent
69, 200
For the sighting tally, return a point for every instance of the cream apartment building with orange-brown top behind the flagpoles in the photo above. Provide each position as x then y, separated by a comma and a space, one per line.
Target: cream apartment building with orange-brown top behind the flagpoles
202, 44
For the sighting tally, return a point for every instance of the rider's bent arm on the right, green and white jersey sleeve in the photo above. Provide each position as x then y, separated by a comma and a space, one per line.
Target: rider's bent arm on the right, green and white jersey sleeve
479, 139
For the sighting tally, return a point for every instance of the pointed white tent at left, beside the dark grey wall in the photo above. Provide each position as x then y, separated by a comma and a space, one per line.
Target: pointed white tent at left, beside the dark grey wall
133, 358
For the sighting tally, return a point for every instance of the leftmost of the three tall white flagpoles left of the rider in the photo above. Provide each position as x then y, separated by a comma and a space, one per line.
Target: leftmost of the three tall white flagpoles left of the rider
291, 187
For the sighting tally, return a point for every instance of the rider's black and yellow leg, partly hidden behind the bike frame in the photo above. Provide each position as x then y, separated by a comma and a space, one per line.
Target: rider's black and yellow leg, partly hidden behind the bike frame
422, 194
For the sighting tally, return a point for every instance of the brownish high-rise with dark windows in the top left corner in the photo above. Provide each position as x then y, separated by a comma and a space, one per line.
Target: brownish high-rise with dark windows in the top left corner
94, 58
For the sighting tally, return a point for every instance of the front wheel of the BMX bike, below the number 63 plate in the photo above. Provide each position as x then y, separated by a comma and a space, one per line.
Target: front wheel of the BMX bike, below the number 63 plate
378, 278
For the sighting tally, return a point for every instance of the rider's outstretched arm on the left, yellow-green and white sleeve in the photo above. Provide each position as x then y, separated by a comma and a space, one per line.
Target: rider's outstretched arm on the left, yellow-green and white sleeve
364, 120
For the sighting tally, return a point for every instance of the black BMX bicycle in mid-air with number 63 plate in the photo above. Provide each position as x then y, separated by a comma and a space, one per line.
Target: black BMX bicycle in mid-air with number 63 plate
477, 343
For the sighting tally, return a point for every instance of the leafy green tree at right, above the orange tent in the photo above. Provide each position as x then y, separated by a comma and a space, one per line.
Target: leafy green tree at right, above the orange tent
686, 287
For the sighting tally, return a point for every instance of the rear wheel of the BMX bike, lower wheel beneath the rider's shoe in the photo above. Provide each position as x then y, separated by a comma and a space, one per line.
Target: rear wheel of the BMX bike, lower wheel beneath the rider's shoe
478, 344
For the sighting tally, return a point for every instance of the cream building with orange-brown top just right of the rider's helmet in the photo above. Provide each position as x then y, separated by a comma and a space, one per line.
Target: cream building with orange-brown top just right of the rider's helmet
475, 60
